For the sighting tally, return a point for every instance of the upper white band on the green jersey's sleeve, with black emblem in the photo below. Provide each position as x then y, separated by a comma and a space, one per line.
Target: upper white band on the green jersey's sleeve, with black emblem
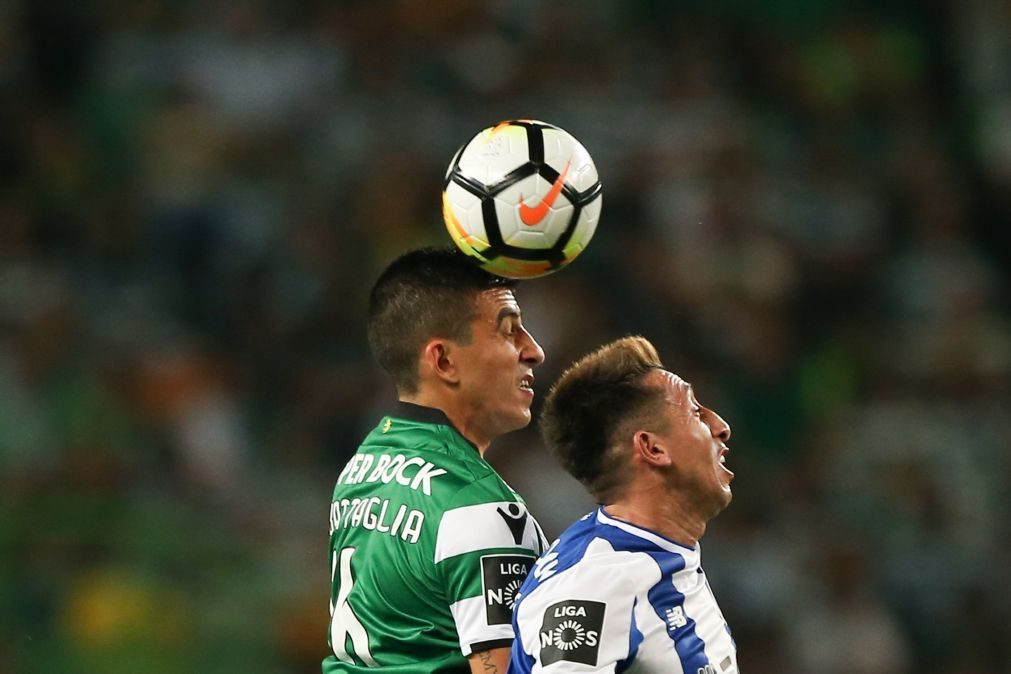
485, 527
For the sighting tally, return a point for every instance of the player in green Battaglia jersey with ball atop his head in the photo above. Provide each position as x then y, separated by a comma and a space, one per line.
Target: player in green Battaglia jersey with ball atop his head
428, 544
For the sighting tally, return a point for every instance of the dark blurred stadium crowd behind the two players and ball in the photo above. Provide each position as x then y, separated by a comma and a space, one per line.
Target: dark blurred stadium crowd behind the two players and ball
806, 209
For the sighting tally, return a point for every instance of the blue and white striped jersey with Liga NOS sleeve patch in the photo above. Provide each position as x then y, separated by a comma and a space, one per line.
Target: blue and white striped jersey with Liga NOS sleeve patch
609, 597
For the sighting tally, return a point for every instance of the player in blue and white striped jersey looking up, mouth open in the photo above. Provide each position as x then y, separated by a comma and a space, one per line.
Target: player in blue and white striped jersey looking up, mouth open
622, 590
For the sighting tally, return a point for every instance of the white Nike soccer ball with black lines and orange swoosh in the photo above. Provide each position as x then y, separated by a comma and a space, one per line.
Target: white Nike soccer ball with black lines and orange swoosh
523, 199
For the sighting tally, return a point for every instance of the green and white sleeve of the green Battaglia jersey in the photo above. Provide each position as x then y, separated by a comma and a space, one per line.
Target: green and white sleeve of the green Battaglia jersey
484, 552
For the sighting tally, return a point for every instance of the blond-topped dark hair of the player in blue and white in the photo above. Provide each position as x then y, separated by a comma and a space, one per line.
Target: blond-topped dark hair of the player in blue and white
591, 408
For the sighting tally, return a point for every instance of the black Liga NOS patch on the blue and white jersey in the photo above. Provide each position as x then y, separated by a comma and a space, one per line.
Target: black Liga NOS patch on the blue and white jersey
572, 632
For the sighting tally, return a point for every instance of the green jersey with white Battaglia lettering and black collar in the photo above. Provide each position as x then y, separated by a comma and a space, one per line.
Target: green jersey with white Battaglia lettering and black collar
428, 549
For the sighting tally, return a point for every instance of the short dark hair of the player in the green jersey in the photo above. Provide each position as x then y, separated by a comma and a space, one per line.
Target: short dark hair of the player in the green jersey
425, 294
